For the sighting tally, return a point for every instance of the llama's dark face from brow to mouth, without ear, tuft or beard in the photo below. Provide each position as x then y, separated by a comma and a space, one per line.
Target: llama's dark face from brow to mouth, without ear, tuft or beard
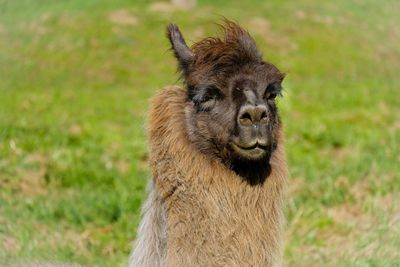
238, 112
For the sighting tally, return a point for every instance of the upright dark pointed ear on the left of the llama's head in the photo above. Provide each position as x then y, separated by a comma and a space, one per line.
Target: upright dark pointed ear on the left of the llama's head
182, 52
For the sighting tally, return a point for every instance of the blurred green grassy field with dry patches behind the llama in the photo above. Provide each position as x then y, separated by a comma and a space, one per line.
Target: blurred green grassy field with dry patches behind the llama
75, 79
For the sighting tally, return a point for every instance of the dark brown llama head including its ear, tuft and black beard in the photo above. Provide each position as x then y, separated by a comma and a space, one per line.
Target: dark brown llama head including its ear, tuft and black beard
231, 113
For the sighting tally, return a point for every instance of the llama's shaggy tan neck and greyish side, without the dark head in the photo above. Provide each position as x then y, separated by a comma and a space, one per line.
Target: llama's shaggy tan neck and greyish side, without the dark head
200, 212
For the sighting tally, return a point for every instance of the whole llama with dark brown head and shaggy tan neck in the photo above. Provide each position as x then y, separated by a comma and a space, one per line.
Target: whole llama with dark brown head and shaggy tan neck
216, 152
